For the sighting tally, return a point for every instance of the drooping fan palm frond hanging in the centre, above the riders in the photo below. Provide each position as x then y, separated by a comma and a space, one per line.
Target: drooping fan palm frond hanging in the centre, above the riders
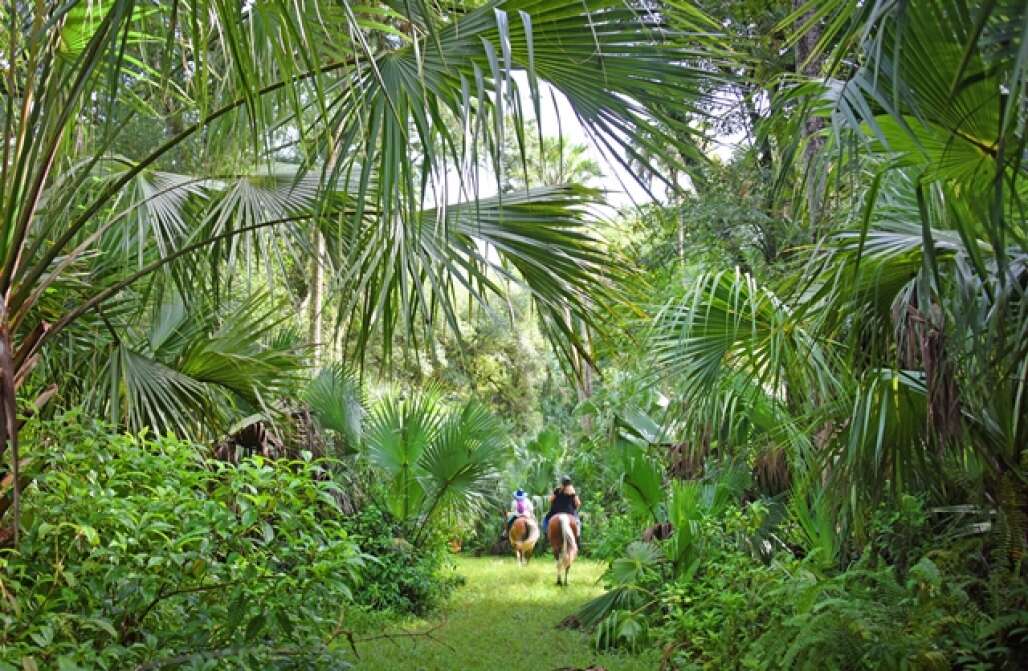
541, 240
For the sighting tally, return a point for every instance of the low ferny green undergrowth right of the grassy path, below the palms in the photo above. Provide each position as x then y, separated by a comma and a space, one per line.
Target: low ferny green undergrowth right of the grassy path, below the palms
903, 605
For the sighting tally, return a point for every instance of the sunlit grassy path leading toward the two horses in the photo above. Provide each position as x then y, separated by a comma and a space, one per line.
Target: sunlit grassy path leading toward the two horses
504, 618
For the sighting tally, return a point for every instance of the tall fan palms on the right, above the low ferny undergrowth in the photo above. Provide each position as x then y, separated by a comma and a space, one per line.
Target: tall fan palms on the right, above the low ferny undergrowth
915, 316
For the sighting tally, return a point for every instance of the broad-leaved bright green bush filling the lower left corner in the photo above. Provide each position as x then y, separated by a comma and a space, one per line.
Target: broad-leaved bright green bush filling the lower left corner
140, 553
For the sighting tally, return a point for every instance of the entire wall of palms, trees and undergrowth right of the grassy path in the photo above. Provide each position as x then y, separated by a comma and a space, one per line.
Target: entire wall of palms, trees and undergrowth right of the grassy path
847, 332
